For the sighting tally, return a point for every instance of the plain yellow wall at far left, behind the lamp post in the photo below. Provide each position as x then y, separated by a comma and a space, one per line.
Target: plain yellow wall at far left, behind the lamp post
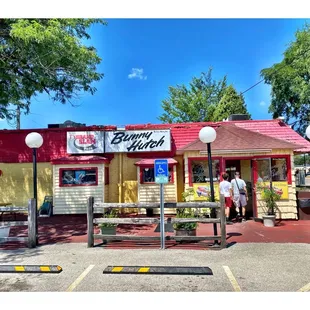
16, 183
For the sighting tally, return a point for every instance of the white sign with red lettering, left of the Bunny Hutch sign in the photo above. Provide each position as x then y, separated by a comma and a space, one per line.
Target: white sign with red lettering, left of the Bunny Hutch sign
88, 142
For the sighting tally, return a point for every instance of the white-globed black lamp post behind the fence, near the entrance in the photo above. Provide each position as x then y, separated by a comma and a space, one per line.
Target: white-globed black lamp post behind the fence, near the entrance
208, 135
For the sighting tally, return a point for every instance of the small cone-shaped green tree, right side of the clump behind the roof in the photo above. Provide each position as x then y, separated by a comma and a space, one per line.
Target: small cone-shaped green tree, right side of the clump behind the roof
230, 103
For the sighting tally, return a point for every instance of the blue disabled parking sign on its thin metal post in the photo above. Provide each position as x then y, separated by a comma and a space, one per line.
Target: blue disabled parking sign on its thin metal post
161, 177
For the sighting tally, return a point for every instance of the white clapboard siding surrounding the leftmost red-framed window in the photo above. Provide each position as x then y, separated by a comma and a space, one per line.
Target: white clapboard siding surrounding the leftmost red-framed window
73, 200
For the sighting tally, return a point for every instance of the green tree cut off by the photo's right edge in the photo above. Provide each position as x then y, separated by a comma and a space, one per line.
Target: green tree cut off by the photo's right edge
290, 82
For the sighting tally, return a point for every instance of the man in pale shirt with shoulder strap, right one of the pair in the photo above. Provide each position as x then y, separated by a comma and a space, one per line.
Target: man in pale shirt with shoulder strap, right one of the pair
240, 195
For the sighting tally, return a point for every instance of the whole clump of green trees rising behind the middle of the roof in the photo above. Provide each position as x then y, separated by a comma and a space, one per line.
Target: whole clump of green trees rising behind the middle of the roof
200, 101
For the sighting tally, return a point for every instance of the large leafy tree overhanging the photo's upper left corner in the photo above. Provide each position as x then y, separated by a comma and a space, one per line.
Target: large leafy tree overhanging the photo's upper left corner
45, 56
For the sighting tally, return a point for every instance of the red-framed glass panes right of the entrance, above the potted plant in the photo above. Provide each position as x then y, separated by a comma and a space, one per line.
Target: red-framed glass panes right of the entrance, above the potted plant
278, 169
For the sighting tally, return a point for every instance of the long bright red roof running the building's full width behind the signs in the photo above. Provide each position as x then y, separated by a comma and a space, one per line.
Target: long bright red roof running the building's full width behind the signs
13, 147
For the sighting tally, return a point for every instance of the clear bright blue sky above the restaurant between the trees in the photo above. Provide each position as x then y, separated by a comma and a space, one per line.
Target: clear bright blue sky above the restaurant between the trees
170, 52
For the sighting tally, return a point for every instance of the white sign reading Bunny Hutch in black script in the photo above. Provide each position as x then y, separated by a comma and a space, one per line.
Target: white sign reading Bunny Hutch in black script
137, 141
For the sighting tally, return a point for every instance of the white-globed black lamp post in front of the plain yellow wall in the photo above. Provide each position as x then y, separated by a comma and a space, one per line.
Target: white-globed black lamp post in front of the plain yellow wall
34, 140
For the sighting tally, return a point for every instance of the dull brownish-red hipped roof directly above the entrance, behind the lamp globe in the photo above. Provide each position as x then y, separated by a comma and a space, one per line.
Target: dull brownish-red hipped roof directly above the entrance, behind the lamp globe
232, 137
